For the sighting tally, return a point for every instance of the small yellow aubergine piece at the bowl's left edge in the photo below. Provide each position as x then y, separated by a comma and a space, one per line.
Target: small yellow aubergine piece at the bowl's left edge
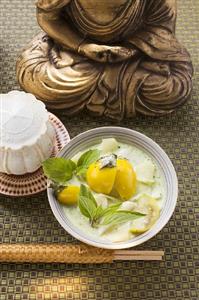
69, 195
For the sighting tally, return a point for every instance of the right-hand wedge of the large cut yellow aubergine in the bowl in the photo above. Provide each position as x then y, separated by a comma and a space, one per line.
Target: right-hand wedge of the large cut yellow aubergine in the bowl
125, 180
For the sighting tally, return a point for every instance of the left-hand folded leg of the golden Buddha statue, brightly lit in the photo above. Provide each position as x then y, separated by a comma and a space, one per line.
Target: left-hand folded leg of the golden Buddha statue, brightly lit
62, 79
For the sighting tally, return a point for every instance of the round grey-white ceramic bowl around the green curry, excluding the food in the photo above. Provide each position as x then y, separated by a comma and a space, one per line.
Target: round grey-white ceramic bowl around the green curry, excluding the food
128, 136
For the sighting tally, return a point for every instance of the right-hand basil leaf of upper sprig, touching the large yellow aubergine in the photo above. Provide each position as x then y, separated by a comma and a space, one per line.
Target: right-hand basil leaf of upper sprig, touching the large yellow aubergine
86, 159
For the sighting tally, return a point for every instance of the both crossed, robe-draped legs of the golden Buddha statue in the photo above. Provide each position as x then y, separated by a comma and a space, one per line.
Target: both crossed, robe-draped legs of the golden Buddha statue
71, 82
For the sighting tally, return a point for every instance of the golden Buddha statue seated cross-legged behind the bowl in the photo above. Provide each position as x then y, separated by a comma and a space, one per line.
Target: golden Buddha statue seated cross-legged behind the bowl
114, 57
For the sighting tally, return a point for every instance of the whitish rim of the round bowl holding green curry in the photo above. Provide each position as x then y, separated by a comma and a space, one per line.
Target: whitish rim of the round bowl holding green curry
143, 237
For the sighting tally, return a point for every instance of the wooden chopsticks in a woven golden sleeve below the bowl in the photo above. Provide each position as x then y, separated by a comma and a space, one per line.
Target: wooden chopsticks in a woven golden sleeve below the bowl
71, 253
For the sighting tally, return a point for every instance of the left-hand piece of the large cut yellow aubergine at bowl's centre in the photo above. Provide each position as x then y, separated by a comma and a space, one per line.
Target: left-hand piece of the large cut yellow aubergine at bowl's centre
101, 180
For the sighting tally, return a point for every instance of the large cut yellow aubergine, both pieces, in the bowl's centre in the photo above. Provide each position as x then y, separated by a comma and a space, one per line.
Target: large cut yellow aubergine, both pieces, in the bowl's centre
120, 178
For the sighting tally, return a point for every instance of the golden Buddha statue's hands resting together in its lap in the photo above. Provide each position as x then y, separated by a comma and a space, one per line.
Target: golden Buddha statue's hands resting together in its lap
104, 54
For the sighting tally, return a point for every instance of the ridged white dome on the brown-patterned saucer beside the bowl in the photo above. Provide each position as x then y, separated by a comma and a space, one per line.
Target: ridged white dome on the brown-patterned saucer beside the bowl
26, 134
